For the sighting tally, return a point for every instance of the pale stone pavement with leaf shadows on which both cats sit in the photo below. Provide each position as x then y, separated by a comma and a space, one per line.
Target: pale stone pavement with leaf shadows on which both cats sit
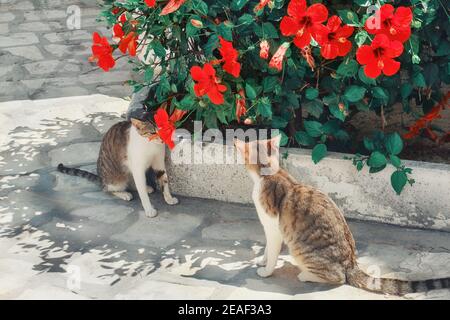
62, 238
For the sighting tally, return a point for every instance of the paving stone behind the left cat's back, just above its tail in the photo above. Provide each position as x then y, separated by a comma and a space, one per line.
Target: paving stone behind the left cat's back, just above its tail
75, 154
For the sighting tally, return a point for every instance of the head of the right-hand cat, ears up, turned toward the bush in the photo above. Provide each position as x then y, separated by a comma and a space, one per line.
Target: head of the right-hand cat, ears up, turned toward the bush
260, 156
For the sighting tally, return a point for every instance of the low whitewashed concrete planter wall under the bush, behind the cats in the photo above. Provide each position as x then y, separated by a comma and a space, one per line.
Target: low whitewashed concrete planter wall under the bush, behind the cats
360, 195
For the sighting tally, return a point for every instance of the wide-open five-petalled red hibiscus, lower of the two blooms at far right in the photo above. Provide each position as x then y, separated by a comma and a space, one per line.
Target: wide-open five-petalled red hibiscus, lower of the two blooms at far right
378, 57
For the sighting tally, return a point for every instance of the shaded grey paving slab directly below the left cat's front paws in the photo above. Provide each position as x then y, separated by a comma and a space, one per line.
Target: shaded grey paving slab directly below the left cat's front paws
161, 231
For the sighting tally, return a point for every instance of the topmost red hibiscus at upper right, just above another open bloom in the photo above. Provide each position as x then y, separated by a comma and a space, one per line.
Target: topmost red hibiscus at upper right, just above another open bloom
396, 24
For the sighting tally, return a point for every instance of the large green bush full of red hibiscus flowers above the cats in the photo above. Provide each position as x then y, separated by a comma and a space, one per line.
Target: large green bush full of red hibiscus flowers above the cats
304, 68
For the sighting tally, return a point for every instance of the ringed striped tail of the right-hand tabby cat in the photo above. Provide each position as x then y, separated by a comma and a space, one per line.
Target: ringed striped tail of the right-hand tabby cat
358, 278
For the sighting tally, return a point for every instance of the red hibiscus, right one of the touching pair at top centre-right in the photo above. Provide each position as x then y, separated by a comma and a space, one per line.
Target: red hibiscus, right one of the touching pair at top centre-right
333, 38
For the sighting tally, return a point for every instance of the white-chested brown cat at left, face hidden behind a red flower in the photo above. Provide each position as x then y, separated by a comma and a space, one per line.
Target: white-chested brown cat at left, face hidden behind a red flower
126, 153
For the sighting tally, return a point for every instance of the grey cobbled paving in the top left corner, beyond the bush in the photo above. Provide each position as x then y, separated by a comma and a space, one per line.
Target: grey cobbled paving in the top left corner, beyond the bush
40, 57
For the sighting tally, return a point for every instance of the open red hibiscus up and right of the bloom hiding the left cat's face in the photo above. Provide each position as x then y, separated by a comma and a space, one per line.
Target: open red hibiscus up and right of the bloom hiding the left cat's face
207, 83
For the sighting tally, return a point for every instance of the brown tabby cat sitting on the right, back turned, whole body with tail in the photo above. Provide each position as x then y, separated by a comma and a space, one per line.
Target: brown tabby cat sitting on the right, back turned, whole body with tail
312, 226
